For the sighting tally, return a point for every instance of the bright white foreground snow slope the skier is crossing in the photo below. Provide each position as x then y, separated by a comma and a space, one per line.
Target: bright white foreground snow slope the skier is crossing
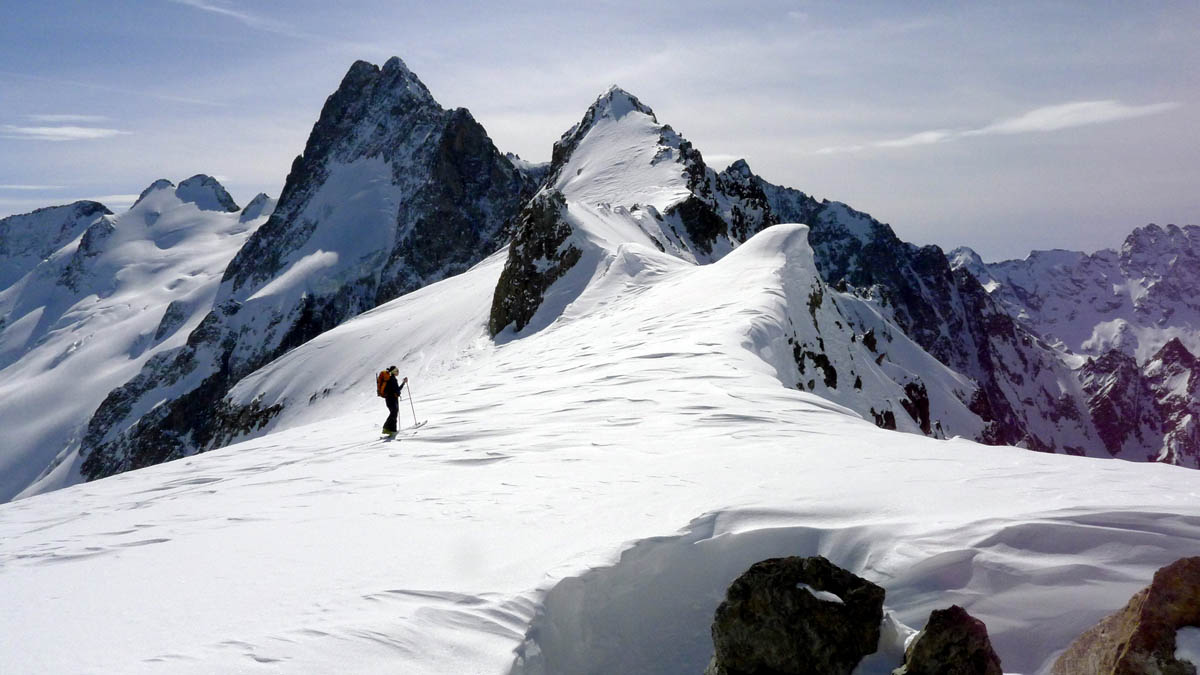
578, 503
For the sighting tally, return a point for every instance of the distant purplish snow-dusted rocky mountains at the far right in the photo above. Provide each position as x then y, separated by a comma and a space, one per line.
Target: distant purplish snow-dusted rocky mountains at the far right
1131, 313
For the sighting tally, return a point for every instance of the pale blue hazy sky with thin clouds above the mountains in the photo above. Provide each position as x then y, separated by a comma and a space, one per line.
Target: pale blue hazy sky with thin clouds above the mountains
1004, 127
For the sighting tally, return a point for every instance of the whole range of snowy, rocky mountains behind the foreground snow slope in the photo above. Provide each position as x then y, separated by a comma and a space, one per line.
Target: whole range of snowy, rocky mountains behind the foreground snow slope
161, 321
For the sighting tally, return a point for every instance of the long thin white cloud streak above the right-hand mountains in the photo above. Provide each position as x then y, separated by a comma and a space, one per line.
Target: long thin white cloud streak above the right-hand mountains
1040, 121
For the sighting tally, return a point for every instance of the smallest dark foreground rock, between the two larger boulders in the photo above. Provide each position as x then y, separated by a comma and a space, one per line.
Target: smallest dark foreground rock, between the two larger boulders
953, 643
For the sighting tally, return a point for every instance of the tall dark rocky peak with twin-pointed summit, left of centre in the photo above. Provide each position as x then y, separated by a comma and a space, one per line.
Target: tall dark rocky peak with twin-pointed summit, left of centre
392, 193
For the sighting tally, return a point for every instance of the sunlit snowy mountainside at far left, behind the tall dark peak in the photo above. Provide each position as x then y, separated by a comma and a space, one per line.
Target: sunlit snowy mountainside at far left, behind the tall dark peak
95, 310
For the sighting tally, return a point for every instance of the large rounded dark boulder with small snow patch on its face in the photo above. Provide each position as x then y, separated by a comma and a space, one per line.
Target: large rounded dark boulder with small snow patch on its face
796, 616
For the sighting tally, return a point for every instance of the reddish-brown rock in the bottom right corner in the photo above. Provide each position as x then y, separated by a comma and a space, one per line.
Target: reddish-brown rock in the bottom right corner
1141, 638
